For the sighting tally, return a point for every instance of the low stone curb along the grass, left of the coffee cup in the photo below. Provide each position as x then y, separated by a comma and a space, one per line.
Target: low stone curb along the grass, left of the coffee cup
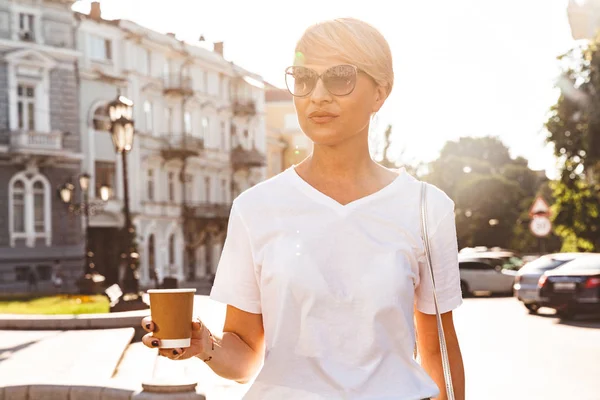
125, 319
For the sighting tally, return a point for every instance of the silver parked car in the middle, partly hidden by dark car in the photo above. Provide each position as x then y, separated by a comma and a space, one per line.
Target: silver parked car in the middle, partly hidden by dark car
526, 282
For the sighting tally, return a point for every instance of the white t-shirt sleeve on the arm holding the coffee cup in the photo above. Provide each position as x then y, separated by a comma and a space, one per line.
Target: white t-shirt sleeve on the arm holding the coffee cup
236, 281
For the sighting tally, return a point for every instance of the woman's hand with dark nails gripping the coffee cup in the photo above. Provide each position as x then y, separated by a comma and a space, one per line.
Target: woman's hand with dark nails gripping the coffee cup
201, 343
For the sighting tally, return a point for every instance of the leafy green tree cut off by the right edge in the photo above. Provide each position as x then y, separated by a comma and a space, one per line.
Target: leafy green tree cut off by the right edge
574, 129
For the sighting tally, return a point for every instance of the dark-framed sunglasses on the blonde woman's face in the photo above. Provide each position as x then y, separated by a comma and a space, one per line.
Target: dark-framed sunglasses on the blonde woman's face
339, 80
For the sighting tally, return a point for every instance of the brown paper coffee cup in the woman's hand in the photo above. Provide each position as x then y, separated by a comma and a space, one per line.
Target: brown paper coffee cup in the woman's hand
172, 312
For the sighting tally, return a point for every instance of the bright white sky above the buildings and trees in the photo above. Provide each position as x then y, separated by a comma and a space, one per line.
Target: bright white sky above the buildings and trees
462, 67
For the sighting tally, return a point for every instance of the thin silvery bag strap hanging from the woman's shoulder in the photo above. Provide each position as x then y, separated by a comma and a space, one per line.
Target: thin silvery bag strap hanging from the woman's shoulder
444, 350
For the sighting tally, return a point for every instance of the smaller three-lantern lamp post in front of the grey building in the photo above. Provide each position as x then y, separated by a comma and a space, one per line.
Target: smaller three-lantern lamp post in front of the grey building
65, 193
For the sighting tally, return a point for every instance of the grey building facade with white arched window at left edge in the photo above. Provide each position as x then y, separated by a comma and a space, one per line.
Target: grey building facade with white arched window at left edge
40, 146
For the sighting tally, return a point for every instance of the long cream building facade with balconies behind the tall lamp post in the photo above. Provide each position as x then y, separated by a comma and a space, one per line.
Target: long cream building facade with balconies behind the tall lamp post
199, 142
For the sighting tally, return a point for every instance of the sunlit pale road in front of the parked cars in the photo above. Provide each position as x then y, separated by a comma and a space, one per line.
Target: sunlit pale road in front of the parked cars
509, 354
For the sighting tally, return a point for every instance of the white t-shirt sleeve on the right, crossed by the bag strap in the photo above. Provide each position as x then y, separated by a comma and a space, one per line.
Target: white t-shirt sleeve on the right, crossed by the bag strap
444, 257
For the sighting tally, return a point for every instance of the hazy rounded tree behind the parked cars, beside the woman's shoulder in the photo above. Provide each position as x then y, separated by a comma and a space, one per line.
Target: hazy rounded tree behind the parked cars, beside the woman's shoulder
492, 192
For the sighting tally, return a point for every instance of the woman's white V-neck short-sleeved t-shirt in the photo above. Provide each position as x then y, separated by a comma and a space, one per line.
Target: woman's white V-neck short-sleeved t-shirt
336, 285
